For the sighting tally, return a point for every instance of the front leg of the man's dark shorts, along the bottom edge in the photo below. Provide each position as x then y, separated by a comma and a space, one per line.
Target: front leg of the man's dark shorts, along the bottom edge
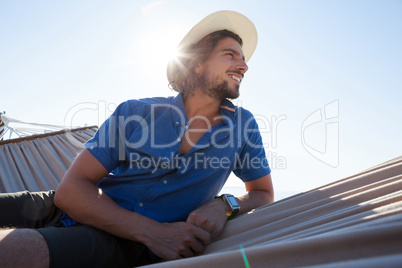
83, 246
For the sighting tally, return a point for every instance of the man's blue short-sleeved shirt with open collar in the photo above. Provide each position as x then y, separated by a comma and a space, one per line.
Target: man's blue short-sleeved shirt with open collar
138, 145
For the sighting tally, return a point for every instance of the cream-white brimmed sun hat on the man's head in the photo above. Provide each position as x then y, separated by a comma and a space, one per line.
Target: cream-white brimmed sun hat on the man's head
221, 20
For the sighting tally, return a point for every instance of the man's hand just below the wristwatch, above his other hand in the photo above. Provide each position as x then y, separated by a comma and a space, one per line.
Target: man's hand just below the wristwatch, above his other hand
211, 217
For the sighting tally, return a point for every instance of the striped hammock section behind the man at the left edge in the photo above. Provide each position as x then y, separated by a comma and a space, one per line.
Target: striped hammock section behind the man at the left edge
38, 162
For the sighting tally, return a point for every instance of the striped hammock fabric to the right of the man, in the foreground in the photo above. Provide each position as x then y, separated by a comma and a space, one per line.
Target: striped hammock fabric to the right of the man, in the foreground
354, 222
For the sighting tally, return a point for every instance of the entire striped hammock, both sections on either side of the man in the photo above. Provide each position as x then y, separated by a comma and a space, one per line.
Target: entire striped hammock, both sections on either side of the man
354, 222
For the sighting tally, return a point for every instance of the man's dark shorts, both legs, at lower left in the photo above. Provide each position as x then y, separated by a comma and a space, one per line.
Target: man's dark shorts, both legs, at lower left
75, 246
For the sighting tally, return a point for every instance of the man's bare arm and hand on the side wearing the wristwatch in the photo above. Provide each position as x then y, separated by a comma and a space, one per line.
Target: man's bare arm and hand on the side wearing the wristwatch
212, 216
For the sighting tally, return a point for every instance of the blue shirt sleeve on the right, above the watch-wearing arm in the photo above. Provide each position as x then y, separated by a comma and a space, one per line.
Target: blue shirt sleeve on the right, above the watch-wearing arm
252, 163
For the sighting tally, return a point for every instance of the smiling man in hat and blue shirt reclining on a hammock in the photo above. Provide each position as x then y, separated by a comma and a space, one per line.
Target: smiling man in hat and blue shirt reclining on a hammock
144, 187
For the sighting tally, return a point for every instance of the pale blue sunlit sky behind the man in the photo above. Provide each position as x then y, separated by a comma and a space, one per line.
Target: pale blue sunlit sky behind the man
324, 83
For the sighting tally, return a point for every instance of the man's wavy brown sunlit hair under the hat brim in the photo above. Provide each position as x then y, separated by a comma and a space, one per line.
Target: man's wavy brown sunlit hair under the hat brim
183, 67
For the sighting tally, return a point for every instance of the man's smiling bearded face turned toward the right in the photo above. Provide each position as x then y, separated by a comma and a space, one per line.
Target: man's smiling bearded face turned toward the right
220, 76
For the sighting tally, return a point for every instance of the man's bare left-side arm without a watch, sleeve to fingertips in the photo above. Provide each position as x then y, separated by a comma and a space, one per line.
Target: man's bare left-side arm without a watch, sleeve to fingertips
80, 198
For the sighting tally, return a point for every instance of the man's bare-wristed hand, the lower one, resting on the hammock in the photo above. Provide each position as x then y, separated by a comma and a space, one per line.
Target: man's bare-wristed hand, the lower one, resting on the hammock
177, 240
